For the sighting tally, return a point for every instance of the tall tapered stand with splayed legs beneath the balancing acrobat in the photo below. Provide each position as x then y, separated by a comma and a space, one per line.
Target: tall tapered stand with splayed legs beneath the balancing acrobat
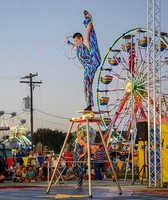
85, 120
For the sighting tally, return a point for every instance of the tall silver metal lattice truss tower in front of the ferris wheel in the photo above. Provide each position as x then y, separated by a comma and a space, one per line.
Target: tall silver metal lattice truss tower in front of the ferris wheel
154, 91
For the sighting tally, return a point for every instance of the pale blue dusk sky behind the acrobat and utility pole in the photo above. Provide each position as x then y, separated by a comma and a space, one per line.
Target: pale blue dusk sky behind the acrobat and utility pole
31, 41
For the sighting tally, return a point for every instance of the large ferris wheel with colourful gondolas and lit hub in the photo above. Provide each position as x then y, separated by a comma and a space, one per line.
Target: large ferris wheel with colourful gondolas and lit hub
122, 81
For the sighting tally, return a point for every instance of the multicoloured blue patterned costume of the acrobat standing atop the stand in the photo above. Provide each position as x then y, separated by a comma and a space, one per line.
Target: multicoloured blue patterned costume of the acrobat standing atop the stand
91, 60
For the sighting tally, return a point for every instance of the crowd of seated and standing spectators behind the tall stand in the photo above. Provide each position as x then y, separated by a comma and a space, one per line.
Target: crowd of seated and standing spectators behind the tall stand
33, 169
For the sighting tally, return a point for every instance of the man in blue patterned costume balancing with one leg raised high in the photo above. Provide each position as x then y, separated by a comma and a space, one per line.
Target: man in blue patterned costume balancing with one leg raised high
89, 56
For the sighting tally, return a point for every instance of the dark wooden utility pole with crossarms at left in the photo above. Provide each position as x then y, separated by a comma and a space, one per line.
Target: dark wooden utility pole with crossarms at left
32, 84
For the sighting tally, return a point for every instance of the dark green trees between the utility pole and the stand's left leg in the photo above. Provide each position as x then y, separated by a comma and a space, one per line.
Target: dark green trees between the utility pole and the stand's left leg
54, 139
